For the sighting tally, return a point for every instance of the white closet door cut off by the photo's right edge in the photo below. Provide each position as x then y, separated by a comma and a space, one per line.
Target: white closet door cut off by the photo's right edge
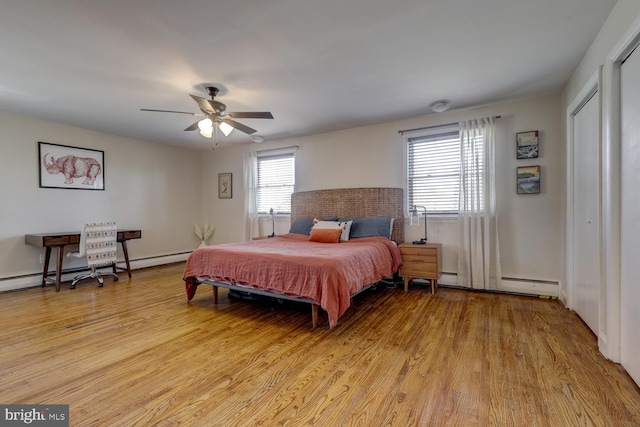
630, 221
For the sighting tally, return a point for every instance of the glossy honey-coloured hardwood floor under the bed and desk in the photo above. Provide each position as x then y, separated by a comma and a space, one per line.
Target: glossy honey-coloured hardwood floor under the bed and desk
135, 353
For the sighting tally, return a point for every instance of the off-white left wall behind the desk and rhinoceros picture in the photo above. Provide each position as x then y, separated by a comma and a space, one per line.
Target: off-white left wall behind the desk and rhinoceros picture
153, 187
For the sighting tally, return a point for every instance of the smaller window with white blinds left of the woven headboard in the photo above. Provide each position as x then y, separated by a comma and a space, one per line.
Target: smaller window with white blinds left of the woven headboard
275, 181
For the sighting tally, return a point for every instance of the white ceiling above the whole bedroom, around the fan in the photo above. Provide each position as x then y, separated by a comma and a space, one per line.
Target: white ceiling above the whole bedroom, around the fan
317, 65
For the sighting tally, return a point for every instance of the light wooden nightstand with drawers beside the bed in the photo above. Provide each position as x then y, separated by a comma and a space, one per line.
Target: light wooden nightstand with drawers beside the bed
421, 262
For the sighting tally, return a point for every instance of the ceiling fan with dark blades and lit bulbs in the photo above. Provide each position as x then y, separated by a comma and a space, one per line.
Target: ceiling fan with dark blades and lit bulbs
215, 113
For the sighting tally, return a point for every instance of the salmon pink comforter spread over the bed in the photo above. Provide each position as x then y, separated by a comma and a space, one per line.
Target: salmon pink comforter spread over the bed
326, 273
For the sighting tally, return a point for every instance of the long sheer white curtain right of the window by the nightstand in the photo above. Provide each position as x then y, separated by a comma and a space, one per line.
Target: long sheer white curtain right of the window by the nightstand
478, 245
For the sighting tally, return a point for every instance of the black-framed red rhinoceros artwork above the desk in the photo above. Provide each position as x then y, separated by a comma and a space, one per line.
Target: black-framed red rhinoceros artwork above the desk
62, 166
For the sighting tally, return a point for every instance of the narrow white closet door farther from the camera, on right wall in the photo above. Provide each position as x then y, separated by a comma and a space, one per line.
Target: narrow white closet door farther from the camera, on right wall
586, 219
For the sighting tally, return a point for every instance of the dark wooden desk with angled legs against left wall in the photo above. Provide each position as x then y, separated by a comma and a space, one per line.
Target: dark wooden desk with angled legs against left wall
60, 240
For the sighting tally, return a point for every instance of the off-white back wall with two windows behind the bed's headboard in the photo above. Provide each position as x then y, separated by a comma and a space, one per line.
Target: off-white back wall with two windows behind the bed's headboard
529, 225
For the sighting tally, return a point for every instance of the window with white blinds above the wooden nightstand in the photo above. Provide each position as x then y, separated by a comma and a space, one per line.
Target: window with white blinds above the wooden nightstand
433, 169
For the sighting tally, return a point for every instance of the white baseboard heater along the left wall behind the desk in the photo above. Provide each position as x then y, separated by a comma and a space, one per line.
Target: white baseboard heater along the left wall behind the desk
35, 279
